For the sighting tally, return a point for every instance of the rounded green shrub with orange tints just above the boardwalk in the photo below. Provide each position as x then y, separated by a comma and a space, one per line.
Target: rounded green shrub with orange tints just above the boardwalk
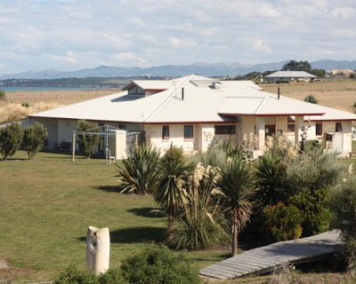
283, 222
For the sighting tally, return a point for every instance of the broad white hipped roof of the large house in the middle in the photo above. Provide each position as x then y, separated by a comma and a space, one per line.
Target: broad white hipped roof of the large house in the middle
203, 100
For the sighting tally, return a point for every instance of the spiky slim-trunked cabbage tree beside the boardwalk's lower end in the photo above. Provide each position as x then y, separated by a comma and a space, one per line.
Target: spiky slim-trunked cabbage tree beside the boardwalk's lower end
236, 183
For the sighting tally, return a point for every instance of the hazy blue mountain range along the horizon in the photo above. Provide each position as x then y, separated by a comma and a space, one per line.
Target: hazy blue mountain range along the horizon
214, 69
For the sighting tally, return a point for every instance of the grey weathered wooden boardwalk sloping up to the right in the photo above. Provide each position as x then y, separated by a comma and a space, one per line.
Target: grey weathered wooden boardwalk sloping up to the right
266, 259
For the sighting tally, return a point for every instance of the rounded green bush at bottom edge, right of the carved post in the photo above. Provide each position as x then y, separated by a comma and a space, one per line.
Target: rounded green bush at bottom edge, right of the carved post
157, 264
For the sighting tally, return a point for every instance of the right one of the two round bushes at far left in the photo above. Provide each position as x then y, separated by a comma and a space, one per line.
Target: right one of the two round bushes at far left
33, 139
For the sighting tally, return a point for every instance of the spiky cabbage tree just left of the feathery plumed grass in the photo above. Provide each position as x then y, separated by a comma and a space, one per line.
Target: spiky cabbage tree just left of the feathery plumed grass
170, 193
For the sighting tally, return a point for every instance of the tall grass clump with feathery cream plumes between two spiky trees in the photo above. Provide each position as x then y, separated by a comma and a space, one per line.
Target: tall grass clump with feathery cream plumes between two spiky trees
200, 225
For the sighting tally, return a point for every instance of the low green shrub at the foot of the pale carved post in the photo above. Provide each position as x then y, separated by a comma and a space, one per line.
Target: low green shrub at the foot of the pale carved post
74, 276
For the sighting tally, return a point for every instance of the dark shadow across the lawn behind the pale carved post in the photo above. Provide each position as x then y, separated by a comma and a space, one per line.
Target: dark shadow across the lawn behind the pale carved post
136, 235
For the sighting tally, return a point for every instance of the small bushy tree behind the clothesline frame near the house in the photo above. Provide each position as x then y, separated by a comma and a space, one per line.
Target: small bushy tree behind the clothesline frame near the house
88, 142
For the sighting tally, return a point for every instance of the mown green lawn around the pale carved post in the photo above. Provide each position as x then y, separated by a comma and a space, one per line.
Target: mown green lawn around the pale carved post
47, 205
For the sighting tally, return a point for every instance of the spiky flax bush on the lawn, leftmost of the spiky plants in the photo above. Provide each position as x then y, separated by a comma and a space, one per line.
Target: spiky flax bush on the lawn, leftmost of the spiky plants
139, 172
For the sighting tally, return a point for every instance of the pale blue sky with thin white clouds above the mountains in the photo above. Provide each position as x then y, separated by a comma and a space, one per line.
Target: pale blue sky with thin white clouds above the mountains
74, 34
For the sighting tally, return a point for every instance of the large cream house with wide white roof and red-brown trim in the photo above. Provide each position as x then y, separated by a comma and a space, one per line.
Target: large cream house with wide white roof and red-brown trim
193, 111
